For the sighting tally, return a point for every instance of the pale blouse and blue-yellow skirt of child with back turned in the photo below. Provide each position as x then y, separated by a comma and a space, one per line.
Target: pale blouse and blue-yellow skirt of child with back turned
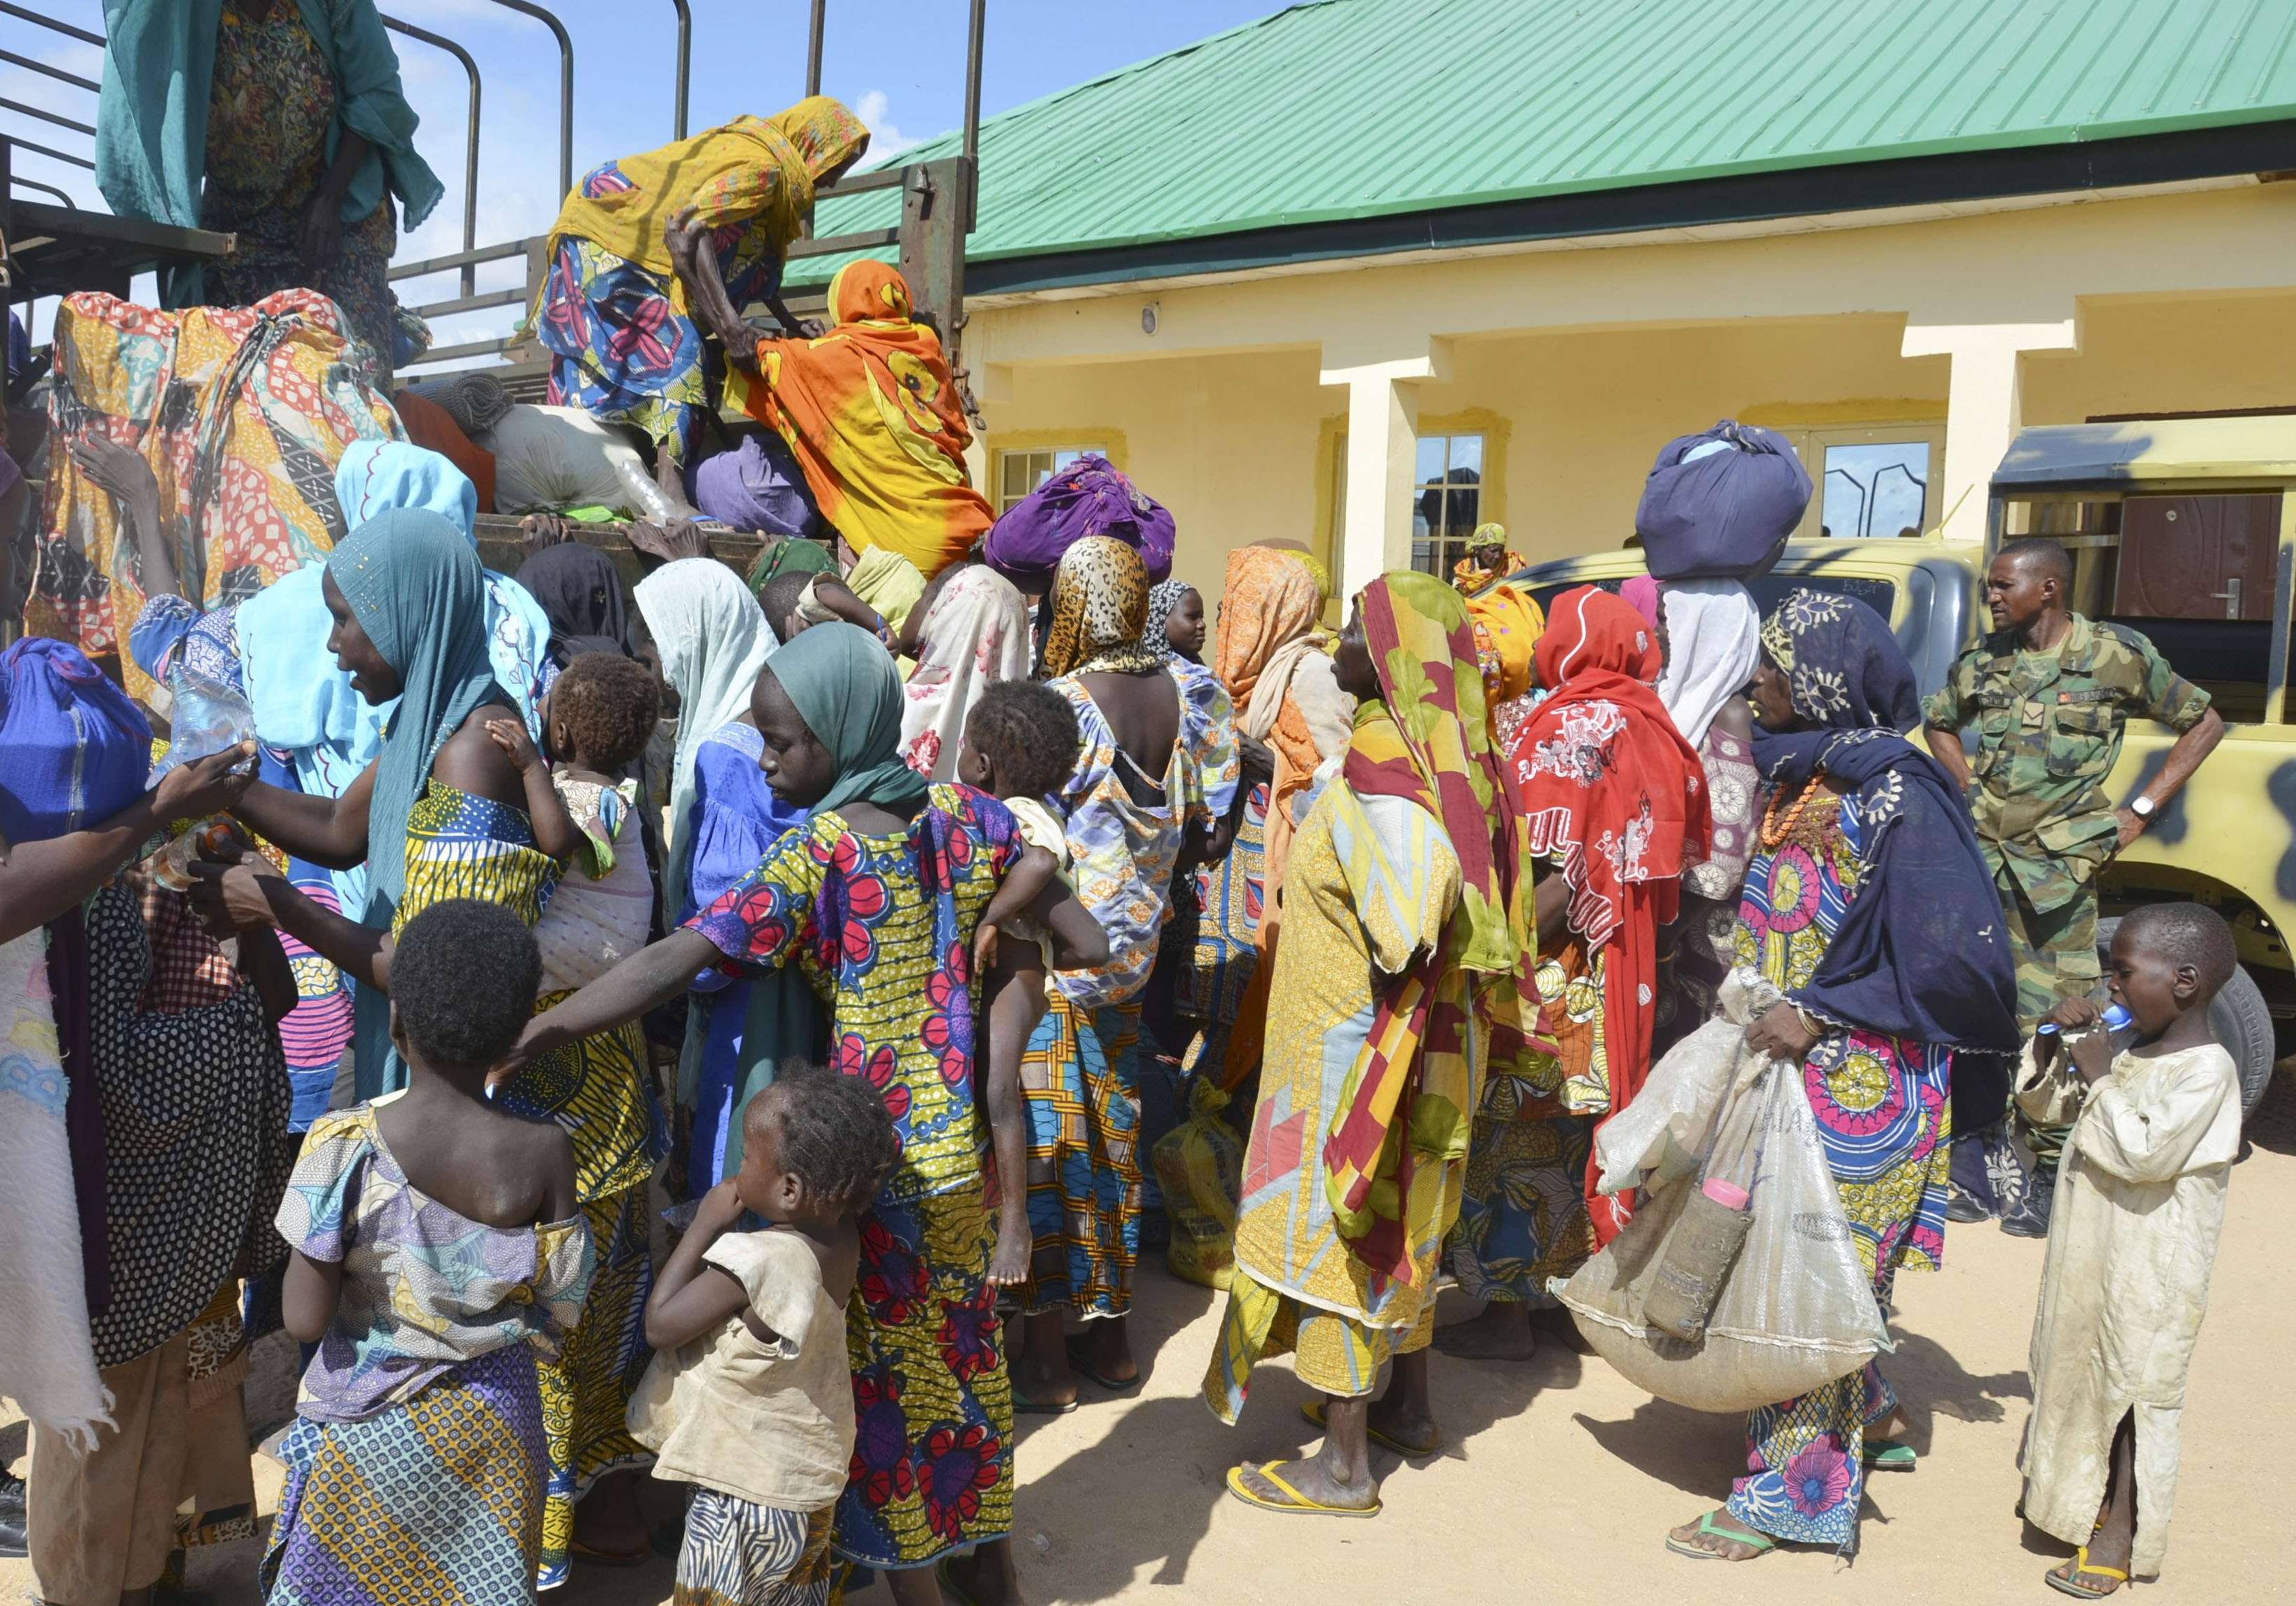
417, 1463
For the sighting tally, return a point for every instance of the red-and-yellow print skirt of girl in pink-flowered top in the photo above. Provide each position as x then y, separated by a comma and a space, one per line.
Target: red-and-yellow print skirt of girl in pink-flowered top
933, 1403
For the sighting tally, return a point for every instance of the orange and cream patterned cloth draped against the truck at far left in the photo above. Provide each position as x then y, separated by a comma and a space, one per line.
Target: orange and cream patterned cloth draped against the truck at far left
242, 416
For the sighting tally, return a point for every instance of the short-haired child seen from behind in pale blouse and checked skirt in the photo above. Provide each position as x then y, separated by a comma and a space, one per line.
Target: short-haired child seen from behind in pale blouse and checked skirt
437, 1254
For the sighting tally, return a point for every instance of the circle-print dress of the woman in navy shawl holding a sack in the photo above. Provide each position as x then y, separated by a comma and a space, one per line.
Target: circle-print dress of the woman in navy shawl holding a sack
1886, 1125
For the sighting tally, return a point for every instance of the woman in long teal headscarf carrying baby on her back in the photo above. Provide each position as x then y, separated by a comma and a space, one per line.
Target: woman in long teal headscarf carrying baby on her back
442, 813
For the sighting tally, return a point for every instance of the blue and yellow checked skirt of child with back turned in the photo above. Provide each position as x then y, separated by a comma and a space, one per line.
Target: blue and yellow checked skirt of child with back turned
433, 1502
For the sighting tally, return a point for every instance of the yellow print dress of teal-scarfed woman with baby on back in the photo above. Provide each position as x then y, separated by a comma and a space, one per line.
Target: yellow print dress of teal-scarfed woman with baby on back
463, 845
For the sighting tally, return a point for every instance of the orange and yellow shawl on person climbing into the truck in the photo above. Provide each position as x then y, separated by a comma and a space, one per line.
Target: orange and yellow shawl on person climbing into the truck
874, 419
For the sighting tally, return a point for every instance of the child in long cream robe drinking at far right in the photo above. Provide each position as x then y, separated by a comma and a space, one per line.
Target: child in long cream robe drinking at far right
2141, 1206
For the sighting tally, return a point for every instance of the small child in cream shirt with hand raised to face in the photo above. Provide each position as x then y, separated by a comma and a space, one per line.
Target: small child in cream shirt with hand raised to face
752, 1394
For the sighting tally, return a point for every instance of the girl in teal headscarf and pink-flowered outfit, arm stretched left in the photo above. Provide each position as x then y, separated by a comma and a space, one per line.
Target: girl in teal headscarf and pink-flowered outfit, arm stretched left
883, 898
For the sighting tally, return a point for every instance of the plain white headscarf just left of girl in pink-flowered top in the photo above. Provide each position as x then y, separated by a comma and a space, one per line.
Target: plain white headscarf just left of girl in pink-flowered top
715, 641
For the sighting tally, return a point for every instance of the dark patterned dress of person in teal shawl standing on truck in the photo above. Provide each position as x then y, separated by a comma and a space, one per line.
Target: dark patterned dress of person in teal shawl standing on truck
270, 109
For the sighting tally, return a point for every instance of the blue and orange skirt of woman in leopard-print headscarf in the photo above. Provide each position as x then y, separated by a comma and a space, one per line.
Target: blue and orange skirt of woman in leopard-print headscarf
1085, 1174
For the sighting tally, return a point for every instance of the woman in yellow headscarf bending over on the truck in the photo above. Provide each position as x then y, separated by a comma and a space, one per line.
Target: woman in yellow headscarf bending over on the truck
616, 322
